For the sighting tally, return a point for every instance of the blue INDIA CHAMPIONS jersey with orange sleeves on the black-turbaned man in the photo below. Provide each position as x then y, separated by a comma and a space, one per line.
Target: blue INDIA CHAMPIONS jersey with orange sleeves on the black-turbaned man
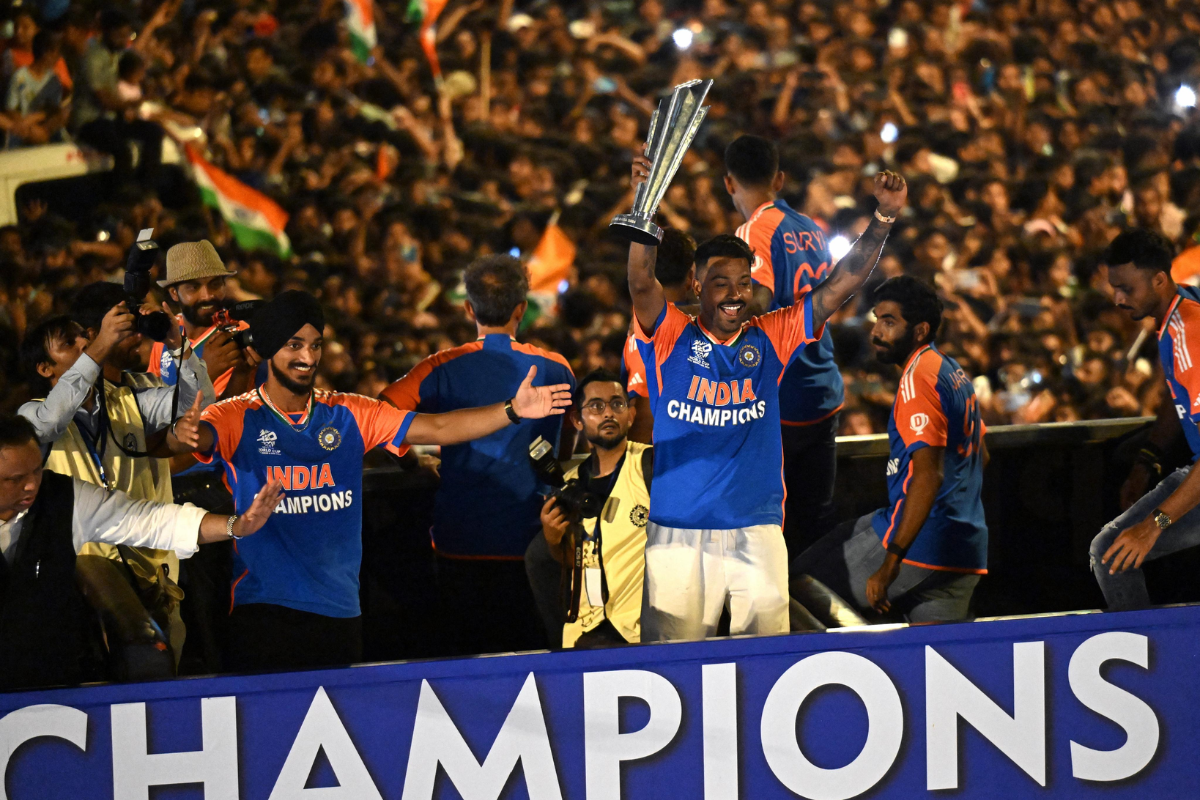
309, 554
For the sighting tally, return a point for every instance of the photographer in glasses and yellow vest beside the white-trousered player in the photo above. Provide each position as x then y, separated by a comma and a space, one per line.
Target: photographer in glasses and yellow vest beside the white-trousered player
604, 554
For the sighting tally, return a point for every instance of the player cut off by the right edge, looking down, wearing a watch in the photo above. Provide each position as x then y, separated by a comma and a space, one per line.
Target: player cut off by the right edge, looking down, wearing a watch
1165, 521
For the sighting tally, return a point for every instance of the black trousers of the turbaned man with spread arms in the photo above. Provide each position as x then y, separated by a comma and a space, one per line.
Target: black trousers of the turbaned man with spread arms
267, 637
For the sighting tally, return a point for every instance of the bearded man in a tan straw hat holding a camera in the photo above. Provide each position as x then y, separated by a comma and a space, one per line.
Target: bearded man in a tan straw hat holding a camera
196, 282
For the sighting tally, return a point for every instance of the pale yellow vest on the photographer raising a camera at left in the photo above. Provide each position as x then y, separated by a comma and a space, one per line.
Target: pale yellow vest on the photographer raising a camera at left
141, 478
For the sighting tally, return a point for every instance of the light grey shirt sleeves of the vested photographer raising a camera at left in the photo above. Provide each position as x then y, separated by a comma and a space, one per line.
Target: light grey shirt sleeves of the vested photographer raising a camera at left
52, 417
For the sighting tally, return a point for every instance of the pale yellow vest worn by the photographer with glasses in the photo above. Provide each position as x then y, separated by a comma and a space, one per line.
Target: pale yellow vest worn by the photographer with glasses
622, 554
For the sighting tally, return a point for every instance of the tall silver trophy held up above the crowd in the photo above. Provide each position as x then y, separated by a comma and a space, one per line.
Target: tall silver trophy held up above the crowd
673, 129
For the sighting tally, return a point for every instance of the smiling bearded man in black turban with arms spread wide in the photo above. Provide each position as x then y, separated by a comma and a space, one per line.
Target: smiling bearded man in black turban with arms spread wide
296, 597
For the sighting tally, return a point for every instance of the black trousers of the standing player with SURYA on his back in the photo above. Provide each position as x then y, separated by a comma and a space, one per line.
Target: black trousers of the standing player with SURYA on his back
811, 468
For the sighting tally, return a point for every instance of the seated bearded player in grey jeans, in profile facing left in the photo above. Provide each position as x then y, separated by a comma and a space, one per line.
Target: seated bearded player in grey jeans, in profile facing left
923, 555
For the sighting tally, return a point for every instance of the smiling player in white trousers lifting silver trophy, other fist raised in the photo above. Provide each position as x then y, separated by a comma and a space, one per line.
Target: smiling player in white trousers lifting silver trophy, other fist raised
717, 504
